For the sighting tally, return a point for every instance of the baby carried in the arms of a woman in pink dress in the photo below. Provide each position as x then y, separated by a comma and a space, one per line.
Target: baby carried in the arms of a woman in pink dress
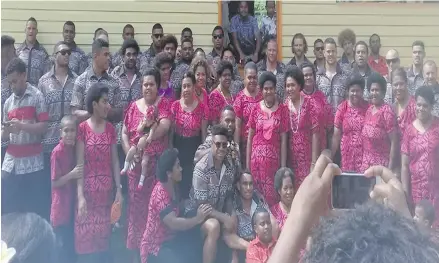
147, 127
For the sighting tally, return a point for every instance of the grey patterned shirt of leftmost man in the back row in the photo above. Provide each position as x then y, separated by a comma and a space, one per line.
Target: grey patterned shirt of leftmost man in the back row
36, 59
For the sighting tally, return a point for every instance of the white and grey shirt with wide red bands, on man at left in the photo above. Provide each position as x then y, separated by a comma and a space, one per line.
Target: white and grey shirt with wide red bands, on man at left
25, 150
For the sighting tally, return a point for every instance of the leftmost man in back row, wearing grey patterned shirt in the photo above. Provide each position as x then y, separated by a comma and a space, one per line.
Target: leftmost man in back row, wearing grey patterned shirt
33, 54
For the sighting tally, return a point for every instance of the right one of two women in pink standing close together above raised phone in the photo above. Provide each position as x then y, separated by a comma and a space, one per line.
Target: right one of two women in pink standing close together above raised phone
380, 130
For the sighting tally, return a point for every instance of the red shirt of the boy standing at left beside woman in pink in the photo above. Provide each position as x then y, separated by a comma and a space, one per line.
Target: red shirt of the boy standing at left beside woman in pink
62, 162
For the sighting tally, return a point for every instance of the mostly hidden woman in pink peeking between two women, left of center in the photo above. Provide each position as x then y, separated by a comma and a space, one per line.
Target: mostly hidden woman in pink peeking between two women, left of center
201, 70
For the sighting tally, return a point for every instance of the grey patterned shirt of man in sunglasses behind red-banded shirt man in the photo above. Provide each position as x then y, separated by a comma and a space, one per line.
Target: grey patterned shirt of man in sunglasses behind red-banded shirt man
57, 96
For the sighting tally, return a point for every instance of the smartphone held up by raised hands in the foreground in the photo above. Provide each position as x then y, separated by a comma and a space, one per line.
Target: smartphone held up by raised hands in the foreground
350, 189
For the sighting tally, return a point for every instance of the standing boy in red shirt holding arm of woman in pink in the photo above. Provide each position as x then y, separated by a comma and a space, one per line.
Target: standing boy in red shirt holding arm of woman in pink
64, 175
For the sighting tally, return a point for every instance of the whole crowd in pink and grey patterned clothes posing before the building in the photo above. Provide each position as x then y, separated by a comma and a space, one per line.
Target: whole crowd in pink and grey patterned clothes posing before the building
207, 160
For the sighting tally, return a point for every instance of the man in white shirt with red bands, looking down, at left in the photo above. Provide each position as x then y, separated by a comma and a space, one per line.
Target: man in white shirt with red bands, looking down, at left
25, 185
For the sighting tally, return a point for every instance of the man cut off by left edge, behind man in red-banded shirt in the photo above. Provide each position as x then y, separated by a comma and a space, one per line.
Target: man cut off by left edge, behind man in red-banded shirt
8, 53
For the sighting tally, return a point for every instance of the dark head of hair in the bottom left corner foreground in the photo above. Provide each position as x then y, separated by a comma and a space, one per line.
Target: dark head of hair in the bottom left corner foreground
31, 236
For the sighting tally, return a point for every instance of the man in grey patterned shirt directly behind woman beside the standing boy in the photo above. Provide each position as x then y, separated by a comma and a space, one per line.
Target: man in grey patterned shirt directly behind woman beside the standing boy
97, 72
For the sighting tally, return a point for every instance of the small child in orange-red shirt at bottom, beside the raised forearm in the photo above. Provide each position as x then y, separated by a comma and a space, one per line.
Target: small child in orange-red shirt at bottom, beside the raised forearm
260, 248
